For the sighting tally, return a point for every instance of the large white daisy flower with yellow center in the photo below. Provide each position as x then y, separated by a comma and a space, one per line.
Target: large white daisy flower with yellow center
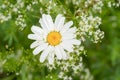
53, 38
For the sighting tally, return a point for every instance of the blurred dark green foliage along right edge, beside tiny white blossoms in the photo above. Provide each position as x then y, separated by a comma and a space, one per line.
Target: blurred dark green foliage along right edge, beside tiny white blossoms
104, 58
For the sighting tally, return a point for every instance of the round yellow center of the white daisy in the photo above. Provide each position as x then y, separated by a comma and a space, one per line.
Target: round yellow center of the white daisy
54, 38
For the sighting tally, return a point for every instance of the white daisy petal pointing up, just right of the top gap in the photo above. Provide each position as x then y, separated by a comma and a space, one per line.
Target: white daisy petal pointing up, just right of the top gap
59, 21
